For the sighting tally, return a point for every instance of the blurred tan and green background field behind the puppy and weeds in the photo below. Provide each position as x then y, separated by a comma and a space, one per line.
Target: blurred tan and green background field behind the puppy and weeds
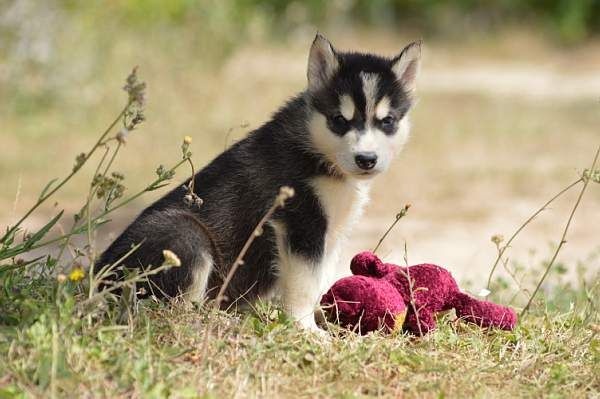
508, 112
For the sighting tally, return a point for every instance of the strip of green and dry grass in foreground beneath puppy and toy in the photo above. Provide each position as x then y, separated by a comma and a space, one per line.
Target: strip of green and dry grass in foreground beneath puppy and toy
47, 347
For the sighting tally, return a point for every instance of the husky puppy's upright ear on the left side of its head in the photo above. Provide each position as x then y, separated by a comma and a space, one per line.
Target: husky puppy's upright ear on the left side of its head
322, 63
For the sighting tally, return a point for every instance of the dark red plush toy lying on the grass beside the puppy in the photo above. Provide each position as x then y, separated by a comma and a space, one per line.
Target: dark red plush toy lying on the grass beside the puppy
378, 296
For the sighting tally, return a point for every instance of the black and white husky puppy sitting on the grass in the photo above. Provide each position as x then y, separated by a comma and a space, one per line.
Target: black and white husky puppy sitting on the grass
327, 143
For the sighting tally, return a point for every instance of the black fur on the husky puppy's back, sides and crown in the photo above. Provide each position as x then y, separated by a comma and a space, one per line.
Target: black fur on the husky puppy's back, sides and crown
240, 185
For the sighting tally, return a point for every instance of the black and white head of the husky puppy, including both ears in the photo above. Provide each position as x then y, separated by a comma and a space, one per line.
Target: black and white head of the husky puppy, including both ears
360, 104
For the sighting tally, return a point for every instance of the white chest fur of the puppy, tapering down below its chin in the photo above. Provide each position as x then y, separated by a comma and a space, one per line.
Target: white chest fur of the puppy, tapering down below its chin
343, 202
